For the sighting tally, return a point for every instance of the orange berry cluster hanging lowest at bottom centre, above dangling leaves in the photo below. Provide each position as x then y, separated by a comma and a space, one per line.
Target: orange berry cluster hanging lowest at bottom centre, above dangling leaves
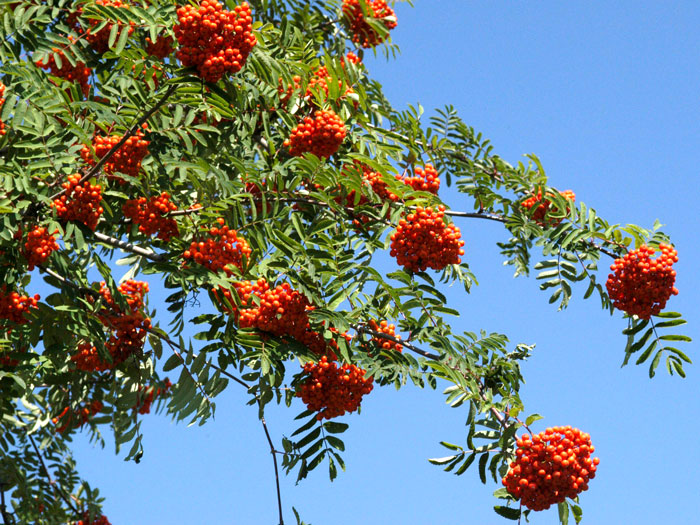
333, 390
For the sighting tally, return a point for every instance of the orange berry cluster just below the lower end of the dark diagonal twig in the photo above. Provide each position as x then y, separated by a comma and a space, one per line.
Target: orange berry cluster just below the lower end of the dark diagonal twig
80, 202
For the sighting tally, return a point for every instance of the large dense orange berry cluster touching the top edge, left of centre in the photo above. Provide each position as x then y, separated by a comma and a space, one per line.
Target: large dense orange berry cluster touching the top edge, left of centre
214, 40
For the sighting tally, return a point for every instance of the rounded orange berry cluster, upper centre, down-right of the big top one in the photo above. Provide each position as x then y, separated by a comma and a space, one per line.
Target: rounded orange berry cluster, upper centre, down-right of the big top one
321, 135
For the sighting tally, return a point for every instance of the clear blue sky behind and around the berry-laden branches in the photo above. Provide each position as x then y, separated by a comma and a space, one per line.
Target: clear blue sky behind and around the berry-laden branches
607, 94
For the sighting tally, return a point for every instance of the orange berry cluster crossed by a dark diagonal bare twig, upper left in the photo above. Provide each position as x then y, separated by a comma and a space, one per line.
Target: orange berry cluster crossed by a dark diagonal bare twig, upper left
127, 159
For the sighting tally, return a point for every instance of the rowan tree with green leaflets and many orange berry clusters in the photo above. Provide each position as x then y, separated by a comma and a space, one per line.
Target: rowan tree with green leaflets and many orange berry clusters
244, 156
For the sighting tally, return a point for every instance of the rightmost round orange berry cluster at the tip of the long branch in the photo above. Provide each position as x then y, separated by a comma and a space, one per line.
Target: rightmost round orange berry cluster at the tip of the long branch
641, 286
